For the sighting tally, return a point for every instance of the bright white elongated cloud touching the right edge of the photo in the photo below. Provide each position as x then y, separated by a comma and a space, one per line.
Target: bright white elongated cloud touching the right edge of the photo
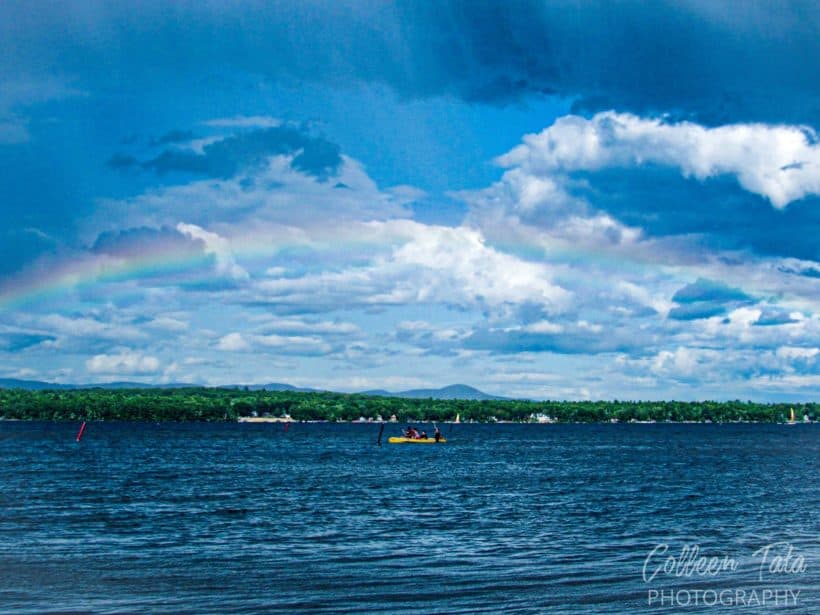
781, 163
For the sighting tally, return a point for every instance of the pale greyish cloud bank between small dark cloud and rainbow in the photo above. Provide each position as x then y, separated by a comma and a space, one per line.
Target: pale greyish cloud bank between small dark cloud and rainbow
276, 198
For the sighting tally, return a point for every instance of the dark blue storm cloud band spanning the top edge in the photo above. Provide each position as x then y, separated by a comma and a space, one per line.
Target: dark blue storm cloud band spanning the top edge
716, 61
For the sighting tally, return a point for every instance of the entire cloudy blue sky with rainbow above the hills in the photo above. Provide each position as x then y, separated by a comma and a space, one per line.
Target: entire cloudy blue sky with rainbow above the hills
545, 200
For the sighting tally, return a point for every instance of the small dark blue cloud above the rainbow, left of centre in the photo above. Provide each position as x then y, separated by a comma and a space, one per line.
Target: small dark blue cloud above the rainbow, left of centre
229, 156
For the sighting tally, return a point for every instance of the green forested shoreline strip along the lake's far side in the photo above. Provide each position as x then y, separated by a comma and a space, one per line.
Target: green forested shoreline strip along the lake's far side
216, 404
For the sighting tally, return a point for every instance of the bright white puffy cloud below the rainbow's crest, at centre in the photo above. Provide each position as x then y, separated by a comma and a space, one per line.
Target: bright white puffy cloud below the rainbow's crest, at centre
429, 264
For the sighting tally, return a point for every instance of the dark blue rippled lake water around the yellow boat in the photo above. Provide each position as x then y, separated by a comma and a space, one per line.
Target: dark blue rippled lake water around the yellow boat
510, 518
